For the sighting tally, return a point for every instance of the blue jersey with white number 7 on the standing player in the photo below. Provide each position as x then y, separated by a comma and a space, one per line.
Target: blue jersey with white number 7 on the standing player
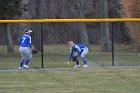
25, 41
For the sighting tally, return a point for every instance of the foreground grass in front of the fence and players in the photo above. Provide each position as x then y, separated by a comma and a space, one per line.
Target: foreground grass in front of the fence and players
71, 81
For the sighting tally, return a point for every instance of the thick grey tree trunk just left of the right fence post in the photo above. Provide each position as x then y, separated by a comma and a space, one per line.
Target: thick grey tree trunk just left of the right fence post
105, 36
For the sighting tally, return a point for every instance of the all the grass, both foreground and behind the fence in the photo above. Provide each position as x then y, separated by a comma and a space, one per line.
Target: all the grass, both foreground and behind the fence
70, 80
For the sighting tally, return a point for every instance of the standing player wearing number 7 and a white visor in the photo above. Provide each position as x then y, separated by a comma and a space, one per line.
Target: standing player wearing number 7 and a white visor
25, 45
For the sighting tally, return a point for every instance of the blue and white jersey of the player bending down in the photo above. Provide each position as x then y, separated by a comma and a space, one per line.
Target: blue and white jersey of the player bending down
78, 48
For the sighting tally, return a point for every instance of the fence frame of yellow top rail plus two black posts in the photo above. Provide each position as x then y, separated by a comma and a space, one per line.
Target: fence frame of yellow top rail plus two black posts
74, 21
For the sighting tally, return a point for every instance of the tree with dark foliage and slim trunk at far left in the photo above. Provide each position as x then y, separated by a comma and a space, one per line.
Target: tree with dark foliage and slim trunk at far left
10, 9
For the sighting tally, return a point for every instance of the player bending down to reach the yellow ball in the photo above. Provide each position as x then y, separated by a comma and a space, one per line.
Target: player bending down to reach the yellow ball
81, 51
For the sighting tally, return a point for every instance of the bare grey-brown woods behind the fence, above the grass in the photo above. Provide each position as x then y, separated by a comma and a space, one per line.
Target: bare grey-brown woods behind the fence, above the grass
61, 33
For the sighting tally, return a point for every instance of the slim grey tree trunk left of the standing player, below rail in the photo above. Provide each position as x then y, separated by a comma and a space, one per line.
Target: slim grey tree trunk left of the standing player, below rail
9, 40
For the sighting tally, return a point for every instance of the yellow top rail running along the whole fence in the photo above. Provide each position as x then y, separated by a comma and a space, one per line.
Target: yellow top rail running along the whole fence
71, 20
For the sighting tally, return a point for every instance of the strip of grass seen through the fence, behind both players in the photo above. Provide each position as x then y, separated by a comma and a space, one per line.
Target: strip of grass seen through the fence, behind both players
56, 55
